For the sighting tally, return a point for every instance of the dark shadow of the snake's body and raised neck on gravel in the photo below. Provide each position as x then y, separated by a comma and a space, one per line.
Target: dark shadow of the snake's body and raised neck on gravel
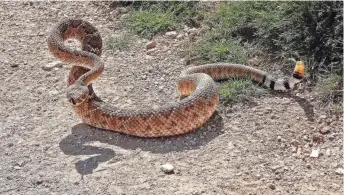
82, 134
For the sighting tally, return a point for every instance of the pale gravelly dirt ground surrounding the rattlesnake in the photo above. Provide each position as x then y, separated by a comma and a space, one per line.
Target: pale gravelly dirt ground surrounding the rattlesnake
263, 148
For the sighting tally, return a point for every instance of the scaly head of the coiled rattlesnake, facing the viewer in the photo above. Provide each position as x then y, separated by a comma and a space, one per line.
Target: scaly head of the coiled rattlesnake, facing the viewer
77, 93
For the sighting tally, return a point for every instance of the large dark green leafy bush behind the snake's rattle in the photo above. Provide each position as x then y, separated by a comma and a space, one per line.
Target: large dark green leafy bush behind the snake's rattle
301, 30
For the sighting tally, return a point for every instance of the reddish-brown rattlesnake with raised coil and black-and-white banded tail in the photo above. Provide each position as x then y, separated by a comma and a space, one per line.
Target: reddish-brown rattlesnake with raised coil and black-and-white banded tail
195, 83
